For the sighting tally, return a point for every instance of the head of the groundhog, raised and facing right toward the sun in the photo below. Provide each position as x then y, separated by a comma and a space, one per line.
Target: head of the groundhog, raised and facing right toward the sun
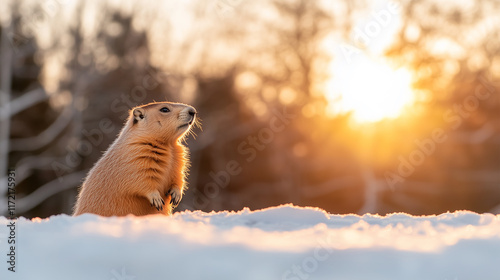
163, 120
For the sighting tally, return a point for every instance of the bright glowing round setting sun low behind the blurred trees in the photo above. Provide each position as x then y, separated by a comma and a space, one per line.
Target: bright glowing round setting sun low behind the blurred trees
370, 89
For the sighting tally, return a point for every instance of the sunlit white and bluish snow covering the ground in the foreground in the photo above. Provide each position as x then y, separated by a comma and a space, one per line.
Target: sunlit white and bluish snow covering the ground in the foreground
284, 242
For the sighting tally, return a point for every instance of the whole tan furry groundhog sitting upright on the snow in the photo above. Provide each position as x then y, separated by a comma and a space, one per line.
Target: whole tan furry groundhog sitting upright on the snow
143, 172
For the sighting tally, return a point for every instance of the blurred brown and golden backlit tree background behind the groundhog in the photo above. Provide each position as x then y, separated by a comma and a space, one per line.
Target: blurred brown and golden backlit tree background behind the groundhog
71, 71
